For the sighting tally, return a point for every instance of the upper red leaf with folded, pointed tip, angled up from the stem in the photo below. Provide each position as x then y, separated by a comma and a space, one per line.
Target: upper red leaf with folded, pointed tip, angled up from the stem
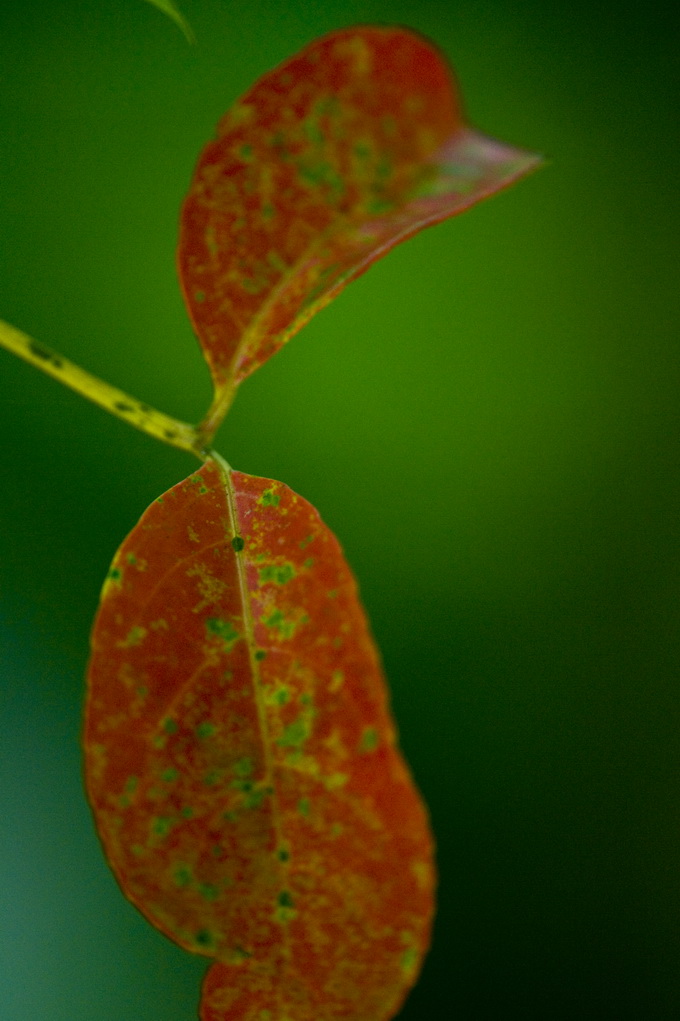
348, 149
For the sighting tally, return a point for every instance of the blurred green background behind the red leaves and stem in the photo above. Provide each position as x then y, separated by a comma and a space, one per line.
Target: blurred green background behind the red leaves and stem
490, 422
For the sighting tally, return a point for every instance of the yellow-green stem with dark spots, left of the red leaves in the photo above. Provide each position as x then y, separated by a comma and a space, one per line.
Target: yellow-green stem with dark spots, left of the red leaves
135, 413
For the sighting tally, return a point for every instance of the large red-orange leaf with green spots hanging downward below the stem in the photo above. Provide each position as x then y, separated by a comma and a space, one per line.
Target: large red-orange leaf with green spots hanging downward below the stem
241, 760
